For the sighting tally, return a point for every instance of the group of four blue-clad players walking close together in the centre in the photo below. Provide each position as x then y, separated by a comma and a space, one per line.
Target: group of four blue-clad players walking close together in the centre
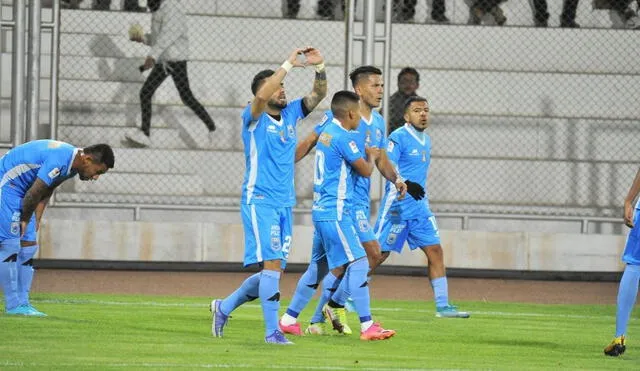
350, 143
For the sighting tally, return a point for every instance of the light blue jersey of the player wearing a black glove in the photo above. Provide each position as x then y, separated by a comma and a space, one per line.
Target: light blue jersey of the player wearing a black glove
410, 151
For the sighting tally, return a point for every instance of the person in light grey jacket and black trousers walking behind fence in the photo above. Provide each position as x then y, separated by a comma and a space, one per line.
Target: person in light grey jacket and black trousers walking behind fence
168, 57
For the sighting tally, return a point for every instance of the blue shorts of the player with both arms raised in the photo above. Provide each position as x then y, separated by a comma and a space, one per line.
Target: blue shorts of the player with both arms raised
267, 233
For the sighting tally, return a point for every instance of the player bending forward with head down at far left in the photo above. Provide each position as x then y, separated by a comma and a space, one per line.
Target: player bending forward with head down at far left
28, 175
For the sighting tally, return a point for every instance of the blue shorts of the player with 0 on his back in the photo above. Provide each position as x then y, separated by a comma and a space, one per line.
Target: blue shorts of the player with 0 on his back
339, 240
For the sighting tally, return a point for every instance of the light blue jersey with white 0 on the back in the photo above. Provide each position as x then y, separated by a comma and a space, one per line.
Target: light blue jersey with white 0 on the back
333, 177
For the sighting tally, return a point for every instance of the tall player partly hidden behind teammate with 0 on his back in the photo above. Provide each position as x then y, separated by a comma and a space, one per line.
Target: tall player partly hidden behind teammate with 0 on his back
367, 83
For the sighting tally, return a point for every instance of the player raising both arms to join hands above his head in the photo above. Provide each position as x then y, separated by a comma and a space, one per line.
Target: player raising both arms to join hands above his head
268, 193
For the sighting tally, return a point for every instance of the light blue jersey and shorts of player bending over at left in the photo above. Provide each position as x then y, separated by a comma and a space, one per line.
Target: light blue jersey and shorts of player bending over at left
47, 160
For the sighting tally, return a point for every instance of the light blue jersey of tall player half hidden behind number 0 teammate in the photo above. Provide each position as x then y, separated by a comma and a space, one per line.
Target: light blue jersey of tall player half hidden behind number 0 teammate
370, 133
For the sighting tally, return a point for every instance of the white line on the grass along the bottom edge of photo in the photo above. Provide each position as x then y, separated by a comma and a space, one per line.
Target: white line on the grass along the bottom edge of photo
206, 365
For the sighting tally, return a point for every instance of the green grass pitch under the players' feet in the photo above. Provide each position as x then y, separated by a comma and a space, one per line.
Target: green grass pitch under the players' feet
86, 332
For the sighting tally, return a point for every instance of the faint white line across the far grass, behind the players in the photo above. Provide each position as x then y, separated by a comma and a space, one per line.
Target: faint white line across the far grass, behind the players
374, 309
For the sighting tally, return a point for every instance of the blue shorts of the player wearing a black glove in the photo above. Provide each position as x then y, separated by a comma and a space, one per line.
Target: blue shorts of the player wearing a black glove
417, 232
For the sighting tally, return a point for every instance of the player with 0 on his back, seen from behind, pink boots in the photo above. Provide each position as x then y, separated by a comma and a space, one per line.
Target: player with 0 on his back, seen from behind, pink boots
337, 158
